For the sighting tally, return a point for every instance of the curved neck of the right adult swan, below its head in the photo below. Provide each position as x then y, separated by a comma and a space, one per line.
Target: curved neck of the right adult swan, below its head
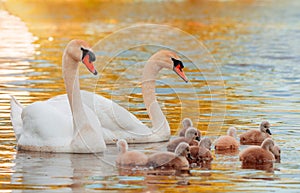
156, 115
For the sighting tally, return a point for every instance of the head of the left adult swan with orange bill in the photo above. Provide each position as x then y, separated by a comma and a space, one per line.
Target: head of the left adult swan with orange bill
80, 51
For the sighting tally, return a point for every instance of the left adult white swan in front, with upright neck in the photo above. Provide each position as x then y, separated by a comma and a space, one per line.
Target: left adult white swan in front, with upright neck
62, 123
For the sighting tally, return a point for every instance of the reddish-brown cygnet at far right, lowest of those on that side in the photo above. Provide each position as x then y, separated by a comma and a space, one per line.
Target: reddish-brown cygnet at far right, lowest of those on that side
258, 154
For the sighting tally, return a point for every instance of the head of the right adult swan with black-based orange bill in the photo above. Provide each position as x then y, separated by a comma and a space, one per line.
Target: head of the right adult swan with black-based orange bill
170, 60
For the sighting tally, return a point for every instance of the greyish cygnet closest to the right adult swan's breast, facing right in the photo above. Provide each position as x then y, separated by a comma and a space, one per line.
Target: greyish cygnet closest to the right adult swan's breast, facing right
190, 136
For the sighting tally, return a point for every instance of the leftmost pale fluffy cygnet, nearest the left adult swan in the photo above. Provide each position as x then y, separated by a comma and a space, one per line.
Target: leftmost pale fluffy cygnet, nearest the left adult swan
129, 158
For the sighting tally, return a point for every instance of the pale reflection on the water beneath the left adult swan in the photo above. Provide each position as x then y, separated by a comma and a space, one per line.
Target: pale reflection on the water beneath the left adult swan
60, 171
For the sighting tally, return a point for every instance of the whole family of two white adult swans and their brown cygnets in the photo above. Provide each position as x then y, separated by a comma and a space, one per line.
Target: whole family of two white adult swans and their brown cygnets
84, 122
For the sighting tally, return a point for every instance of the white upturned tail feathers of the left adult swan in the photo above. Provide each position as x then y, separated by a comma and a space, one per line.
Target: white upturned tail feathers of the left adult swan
15, 116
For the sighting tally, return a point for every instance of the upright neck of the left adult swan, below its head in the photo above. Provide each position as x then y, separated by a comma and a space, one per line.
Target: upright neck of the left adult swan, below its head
70, 75
